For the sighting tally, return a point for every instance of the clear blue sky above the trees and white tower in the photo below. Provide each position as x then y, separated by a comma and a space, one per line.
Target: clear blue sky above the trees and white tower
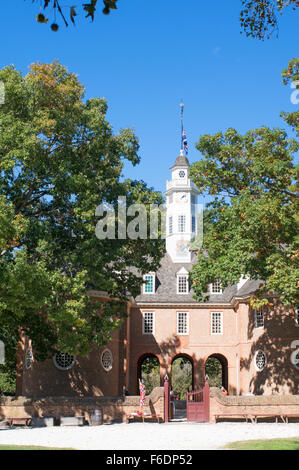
146, 56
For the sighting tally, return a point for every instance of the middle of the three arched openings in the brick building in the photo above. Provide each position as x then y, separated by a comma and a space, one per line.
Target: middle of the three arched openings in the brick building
182, 376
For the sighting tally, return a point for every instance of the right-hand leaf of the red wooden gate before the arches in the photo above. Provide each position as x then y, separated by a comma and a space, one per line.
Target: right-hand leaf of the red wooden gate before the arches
198, 405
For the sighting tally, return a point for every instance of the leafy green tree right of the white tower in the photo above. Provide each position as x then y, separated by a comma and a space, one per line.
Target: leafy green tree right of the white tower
251, 227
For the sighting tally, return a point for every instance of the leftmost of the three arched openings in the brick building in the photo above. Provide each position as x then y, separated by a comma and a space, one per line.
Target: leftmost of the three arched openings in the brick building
148, 370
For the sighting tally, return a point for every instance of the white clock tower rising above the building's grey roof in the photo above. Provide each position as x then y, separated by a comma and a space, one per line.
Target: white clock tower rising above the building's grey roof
181, 211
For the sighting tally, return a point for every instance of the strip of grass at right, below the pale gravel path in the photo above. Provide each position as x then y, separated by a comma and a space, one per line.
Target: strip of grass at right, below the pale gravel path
291, 443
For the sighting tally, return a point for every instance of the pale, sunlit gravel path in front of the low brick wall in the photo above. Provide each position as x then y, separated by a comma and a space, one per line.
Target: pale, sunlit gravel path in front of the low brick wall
147, 436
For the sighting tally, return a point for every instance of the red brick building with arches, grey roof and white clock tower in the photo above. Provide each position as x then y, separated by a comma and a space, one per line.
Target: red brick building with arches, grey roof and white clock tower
258, 350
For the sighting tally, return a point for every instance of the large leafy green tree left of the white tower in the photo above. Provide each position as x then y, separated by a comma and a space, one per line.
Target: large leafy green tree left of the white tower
59, 160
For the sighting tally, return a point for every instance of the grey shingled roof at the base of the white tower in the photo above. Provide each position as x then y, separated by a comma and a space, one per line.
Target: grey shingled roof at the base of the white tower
166, 287
